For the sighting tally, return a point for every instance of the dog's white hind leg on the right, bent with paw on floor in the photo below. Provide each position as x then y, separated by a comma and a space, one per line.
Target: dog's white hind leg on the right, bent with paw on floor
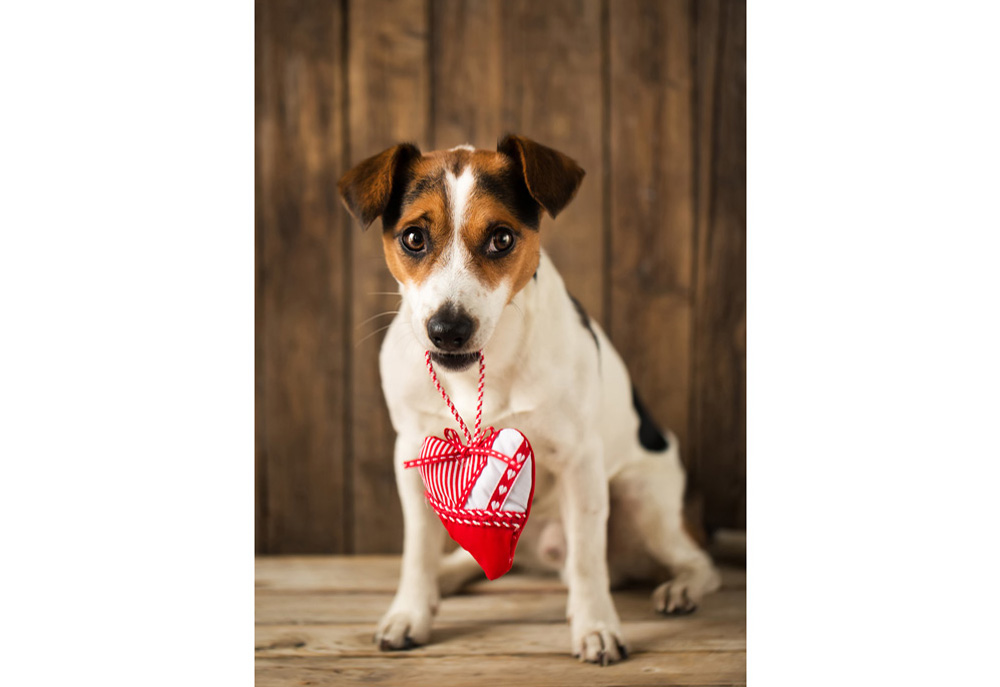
651, 492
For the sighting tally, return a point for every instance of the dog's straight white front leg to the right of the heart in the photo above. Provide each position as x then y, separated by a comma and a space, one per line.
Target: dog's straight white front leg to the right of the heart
595, 631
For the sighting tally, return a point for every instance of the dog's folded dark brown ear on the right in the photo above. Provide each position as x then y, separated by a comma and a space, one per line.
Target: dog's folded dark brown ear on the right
551, 177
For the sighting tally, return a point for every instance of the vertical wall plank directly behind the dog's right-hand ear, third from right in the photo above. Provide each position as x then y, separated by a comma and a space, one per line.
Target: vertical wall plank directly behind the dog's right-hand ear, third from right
553, 94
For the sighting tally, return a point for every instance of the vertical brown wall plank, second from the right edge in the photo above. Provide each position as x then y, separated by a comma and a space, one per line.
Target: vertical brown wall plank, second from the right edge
652, 201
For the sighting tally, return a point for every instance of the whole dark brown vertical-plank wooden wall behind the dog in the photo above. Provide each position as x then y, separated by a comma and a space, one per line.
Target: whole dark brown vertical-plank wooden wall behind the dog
648, 95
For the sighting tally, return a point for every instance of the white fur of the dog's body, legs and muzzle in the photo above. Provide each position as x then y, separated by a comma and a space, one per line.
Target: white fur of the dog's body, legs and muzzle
544, 376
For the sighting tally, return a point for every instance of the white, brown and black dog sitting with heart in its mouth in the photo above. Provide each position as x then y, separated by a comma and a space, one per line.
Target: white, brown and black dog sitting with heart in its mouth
460, 233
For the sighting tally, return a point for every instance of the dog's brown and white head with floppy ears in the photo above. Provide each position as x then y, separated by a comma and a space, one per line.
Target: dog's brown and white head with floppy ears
460, 231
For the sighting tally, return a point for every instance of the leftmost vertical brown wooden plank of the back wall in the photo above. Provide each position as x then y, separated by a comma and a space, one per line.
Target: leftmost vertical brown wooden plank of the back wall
301, 296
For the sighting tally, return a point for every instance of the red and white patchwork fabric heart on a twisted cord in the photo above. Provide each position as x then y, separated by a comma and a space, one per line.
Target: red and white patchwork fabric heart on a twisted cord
481, 488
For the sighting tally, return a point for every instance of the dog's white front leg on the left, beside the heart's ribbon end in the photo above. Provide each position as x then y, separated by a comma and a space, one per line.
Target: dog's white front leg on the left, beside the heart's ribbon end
408, 622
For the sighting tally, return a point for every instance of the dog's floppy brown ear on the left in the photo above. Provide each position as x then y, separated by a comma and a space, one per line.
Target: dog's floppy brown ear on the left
367, 188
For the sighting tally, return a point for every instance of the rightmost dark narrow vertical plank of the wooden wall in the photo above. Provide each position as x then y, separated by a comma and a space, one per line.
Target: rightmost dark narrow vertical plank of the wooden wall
718, 399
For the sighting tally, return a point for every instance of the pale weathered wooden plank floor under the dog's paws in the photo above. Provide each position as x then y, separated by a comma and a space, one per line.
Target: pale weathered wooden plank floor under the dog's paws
315, 616
